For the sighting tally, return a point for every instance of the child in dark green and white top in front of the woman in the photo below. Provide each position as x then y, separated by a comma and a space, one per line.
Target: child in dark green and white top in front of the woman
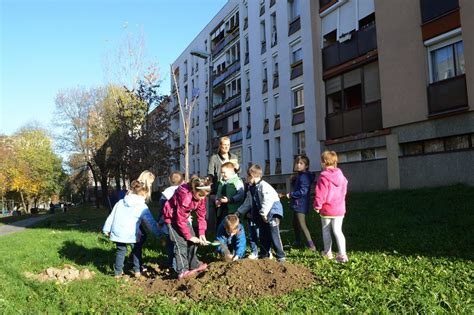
230, 192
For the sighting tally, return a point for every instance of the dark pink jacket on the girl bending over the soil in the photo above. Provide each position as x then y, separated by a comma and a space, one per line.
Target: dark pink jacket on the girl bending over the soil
178, 209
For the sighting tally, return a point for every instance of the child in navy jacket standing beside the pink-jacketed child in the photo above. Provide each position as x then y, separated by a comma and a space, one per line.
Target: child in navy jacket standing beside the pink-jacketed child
299, 200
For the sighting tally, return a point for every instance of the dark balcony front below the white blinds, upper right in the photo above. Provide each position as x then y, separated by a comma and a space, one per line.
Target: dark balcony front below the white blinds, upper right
360, 43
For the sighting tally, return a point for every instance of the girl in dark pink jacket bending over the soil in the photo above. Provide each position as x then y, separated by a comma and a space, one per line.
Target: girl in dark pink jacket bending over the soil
176, 212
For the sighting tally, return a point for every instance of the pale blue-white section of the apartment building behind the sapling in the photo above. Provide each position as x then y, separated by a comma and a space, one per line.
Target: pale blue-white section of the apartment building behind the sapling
260, 90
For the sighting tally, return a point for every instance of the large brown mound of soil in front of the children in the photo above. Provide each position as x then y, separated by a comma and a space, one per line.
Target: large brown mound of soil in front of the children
241, 279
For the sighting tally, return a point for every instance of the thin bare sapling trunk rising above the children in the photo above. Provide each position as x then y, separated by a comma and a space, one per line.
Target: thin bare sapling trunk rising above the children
185, 110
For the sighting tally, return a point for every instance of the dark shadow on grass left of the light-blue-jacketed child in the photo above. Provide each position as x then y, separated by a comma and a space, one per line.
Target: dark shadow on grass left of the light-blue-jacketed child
81, 255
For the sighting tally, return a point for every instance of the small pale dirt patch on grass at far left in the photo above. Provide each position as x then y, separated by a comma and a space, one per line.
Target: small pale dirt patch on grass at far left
67, 274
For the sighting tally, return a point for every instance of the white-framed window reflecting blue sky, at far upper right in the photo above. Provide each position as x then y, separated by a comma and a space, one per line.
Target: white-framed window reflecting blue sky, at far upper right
447, 61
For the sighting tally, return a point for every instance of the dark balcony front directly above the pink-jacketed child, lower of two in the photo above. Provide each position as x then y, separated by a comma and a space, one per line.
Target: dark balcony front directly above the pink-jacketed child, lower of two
362, 119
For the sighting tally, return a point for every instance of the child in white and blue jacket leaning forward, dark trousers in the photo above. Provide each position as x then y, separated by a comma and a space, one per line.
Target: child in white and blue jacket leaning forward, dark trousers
266, 211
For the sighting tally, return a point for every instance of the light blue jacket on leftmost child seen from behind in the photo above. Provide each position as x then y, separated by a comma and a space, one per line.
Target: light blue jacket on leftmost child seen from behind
123, 223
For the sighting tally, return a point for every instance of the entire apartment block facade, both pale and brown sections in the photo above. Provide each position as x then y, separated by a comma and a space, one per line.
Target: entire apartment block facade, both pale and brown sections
390, 89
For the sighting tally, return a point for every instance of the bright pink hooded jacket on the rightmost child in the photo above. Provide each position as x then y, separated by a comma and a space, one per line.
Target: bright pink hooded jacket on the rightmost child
331, 189
